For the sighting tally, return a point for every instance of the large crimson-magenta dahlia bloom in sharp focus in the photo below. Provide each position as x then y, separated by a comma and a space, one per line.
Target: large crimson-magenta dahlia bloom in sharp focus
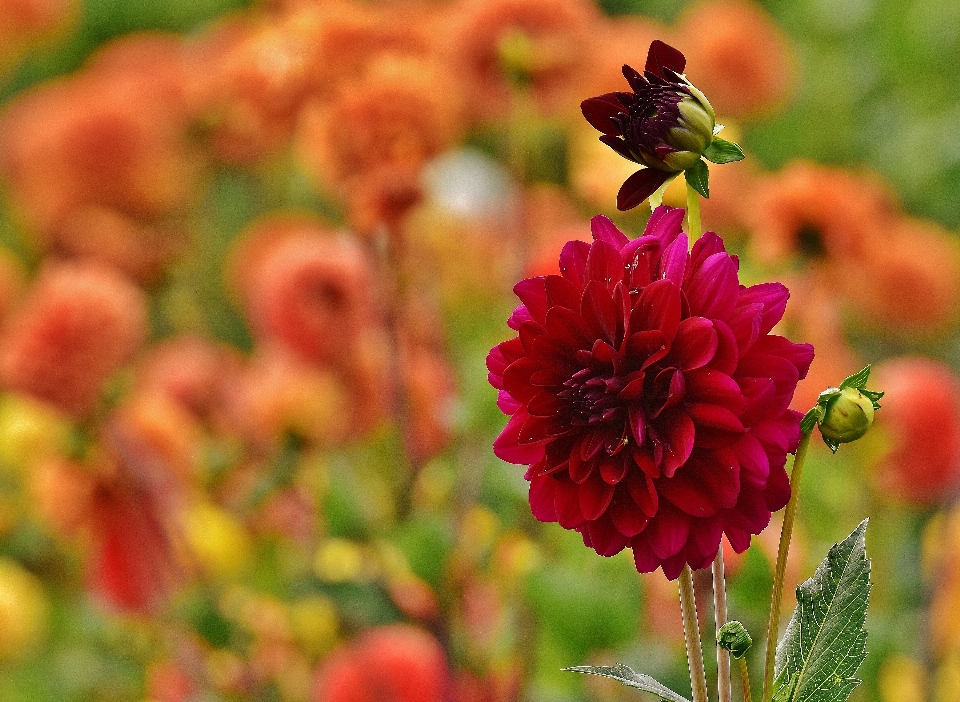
648, 397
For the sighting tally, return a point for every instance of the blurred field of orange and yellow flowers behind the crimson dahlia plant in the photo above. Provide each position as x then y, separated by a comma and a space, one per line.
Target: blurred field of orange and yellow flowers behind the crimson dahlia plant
253, 257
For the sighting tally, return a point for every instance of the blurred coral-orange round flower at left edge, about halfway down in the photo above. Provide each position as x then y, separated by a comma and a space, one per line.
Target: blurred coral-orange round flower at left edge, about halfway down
79, 323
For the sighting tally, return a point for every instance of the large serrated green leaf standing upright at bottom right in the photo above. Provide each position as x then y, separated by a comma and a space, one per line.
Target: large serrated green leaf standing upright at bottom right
825, 641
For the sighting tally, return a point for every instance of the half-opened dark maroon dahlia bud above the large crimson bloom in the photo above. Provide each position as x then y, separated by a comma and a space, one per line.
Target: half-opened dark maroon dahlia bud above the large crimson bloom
665, 123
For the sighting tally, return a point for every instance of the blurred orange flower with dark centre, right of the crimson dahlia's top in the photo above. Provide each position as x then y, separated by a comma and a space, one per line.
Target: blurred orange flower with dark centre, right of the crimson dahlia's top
815, 213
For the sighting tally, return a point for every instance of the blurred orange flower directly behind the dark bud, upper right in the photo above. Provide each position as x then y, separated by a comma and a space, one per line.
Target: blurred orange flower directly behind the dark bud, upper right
738, 56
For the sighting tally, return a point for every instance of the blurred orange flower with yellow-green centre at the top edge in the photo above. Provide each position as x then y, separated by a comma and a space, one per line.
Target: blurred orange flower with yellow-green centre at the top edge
538, 41
